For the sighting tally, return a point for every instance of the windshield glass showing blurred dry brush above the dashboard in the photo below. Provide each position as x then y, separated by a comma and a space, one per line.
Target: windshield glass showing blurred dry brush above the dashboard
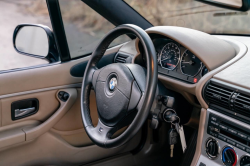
194, 15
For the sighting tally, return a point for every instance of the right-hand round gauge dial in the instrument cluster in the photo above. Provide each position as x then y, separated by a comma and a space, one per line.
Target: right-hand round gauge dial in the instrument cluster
190, 64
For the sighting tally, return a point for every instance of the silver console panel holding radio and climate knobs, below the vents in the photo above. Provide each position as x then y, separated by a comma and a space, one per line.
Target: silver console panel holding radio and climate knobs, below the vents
226, 141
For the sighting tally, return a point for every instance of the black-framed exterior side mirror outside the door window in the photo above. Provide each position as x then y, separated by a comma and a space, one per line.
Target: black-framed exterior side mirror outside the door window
35, 40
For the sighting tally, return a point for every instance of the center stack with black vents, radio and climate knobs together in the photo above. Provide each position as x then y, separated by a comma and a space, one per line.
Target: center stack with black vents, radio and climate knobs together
226, 138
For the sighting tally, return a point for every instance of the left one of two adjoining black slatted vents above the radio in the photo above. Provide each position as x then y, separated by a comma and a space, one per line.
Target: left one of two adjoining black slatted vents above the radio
218, 95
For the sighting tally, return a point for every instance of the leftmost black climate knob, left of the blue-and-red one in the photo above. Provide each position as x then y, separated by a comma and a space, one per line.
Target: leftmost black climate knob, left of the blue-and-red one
212, 148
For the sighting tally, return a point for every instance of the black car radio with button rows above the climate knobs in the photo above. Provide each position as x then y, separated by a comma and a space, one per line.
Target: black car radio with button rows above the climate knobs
229, 132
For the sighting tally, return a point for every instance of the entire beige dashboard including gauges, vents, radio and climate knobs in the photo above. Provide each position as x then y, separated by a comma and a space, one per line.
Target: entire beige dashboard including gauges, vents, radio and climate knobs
210, 68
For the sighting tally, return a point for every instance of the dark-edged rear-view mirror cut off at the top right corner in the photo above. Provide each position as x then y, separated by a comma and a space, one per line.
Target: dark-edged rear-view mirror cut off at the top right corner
238, 5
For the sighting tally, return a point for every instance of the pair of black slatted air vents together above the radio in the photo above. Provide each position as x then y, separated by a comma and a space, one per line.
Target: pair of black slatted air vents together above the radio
228, 99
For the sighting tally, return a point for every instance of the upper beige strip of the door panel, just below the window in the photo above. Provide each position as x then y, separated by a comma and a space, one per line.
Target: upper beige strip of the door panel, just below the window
54, 75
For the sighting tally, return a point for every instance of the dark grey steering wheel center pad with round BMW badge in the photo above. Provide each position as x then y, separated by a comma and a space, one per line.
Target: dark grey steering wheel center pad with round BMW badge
113, 90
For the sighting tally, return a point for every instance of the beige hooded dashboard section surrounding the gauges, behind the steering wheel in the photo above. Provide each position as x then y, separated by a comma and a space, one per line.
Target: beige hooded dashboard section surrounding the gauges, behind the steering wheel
186, 58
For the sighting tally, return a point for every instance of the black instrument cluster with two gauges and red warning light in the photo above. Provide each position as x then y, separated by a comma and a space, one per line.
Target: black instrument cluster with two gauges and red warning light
176, 61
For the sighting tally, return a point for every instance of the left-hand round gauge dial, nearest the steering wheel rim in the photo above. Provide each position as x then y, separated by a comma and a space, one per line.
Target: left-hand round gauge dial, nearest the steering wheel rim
170, 56
